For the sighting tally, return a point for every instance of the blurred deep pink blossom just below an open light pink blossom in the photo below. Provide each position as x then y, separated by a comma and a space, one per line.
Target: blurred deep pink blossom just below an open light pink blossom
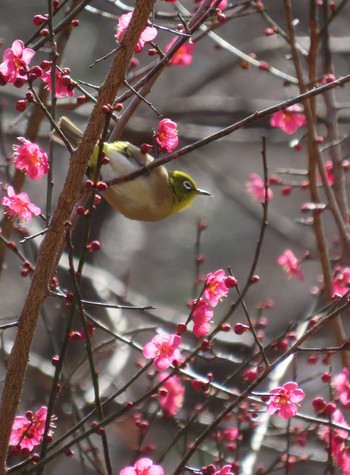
171, 397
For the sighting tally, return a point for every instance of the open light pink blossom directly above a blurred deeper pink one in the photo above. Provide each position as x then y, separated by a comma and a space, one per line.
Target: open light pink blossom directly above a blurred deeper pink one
164, 349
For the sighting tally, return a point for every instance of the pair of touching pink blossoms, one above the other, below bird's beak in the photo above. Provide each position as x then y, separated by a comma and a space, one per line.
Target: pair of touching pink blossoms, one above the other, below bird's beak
217, 286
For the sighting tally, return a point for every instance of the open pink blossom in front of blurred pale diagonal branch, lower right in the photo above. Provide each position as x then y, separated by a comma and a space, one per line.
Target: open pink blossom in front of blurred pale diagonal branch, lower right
285, 400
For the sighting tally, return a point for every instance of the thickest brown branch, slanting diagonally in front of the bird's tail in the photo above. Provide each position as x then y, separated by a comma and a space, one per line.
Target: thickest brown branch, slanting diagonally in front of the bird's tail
52, 243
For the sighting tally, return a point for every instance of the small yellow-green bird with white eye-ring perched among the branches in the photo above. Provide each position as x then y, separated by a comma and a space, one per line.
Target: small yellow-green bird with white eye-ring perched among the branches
152, 196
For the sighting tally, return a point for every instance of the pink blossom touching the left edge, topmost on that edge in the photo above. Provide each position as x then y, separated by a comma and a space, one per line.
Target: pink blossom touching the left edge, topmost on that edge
15, 62
